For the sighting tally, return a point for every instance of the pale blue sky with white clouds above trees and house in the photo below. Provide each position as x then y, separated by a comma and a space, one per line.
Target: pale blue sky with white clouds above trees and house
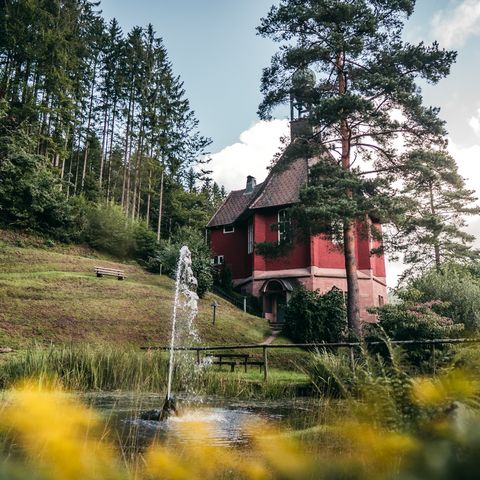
214, 48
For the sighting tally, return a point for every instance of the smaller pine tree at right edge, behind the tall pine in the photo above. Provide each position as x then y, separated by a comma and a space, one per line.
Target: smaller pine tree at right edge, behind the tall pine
432, 231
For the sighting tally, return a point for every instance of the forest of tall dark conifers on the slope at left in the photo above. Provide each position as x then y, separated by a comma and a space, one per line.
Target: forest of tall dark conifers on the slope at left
90, 115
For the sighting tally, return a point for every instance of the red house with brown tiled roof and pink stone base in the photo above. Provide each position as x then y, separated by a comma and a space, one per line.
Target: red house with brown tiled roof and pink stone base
246, 218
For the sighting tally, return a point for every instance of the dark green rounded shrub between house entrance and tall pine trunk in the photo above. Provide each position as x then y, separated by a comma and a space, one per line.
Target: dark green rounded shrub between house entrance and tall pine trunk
311, 317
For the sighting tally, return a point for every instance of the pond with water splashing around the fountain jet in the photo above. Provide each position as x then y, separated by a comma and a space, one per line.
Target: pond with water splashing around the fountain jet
225, 421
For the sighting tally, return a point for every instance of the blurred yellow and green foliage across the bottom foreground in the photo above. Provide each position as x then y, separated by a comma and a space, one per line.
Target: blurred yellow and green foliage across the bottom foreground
57, 437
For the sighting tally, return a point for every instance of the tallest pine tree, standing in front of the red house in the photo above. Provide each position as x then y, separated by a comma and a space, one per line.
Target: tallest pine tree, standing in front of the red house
365, 74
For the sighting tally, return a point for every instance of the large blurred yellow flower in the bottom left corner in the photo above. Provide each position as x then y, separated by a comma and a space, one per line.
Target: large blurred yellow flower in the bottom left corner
58, 433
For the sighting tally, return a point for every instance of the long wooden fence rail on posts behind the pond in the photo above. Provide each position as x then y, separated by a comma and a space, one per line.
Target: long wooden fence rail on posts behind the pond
316, 346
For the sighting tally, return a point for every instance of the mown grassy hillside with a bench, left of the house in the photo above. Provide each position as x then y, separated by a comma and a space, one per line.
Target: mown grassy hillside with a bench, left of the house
50, 294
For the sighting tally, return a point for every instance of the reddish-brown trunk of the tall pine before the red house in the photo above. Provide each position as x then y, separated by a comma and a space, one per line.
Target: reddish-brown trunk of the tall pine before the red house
353, 291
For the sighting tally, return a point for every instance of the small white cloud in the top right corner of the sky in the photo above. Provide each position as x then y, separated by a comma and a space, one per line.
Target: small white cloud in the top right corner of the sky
452, 28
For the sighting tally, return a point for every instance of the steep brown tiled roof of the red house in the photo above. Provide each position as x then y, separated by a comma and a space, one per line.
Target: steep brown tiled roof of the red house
281, 187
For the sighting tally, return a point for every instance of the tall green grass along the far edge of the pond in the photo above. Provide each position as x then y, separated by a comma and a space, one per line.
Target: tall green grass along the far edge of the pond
108, 368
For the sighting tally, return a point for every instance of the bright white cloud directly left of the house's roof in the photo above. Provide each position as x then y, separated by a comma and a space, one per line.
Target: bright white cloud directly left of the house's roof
250, 156
